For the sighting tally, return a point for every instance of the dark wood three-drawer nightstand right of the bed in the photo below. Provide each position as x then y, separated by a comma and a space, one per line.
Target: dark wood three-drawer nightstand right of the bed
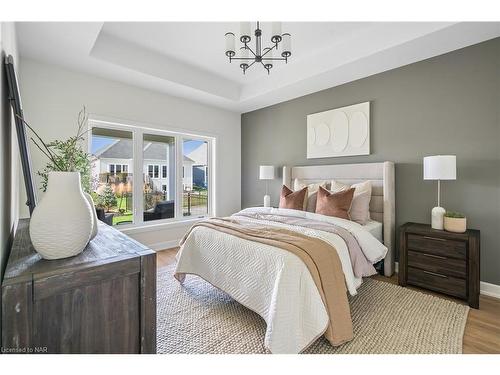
441, 261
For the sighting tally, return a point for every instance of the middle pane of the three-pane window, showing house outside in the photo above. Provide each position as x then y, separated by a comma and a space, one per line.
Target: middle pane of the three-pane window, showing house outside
159, 177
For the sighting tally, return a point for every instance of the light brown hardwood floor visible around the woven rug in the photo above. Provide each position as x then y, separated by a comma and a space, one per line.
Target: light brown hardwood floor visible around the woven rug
482, 331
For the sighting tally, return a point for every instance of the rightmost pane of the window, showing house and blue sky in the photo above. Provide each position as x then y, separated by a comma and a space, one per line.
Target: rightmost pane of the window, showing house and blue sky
195, 177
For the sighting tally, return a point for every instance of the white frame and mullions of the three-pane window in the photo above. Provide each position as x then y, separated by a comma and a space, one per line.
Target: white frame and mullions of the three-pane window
138, 130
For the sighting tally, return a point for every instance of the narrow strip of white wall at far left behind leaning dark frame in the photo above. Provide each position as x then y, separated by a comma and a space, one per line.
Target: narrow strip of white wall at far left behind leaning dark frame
9, 154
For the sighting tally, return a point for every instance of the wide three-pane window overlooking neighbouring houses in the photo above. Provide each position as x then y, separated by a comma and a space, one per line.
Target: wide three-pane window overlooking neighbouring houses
144, 175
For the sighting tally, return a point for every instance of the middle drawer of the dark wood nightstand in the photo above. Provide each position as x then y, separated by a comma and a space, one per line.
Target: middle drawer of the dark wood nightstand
438, 264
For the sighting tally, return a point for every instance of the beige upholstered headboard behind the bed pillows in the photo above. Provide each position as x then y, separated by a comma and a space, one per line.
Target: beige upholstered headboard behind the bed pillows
382, 204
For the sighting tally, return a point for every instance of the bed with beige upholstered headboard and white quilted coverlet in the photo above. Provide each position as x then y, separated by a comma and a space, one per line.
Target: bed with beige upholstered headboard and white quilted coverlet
279, 285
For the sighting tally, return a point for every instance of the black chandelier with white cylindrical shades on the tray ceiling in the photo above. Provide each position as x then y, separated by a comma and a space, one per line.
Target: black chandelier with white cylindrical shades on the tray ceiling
263, 56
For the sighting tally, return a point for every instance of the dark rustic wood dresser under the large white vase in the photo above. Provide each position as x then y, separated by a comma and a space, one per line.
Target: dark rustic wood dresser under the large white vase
100, 301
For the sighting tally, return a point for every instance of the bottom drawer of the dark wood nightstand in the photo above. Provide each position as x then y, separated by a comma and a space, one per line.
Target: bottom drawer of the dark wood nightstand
438, 282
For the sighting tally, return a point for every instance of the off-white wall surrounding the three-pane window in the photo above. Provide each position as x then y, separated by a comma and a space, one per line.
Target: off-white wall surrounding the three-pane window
53, 96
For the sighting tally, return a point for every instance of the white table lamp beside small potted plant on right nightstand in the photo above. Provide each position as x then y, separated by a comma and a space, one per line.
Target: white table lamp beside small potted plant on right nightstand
439, 167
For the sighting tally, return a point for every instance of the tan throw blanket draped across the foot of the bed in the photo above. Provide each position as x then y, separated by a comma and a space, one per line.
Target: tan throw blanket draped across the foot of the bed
320, 258
